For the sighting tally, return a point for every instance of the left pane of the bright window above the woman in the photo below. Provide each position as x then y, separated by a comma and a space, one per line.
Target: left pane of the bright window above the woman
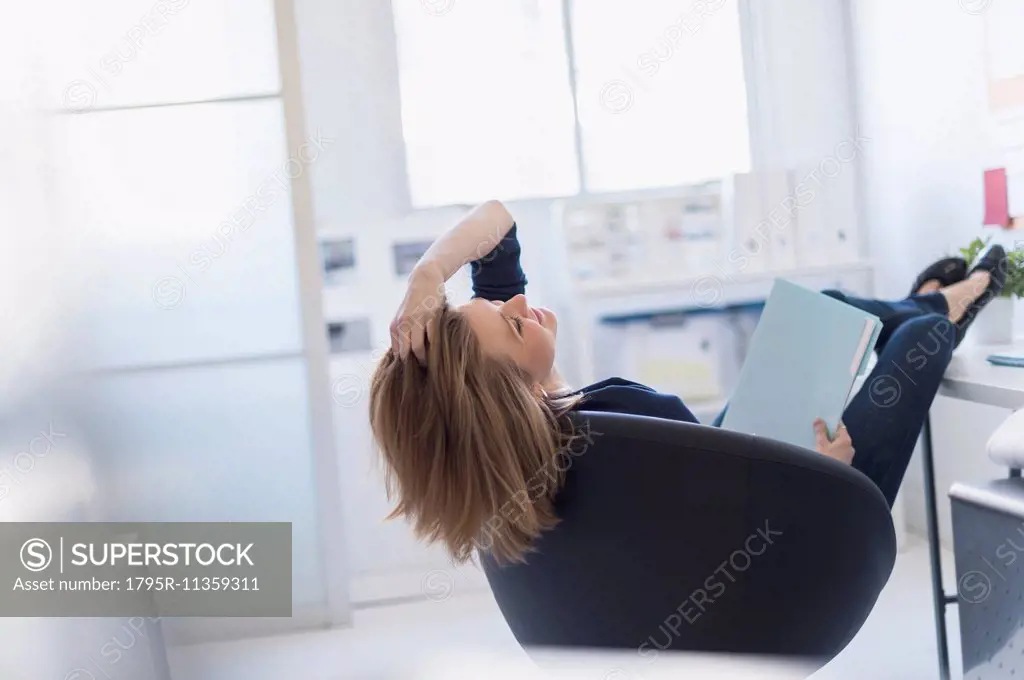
486, 103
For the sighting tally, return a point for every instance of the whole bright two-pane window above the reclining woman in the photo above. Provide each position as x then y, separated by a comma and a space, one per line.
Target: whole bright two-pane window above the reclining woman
488, 100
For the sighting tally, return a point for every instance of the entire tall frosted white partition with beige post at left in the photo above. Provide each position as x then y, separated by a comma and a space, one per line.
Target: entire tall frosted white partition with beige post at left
181, 169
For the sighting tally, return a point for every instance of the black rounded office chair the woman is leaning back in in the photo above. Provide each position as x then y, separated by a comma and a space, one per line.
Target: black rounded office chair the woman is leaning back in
686, 537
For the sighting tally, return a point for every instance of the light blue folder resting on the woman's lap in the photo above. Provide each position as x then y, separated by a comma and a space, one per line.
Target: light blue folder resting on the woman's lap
806, 354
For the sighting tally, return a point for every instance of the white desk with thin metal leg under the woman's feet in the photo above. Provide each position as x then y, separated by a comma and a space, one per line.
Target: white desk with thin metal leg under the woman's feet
971, 378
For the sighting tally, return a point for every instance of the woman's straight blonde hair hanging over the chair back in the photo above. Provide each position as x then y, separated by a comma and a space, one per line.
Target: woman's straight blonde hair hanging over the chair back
472, 453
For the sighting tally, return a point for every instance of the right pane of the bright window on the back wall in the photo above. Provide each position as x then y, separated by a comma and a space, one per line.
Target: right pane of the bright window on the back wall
661, 90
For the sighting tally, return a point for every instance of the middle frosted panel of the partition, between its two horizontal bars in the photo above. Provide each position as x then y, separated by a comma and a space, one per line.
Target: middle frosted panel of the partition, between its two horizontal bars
182, 220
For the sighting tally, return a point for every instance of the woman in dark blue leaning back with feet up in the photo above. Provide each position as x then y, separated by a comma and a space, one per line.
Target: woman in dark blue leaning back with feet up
470, 411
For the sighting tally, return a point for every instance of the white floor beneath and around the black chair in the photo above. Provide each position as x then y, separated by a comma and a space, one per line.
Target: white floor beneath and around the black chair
899, 641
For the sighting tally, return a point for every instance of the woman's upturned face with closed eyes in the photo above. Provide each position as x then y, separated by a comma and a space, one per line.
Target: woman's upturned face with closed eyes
516, 330
